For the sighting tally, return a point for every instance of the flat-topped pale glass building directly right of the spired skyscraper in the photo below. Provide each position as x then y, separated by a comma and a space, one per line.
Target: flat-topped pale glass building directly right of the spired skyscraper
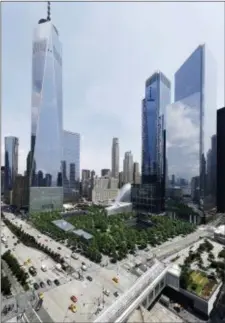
71, 165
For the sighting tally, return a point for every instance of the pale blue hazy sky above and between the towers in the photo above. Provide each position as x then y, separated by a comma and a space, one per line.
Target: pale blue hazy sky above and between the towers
109, 50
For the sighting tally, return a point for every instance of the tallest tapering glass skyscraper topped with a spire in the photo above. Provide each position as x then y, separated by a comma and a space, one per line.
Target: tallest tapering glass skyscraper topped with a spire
46, 192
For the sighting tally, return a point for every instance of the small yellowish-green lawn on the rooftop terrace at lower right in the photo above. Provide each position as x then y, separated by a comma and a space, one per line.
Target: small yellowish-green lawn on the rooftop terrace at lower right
200, 284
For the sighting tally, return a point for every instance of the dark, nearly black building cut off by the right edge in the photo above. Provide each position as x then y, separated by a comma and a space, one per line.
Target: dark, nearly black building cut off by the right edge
221, 160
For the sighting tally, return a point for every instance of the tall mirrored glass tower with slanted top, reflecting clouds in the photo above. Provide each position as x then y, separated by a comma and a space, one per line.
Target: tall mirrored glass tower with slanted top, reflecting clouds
191, 129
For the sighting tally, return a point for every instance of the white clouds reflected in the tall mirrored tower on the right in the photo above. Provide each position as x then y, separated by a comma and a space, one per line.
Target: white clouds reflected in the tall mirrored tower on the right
183, 145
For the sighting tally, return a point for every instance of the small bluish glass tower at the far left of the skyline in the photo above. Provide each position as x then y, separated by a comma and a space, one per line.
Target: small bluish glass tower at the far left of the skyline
11, 162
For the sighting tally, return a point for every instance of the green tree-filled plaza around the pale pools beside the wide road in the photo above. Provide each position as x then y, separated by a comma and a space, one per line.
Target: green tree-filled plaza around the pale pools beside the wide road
112, 236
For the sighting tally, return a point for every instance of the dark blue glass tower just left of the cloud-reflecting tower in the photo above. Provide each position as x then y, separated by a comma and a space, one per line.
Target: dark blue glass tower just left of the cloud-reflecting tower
157, 97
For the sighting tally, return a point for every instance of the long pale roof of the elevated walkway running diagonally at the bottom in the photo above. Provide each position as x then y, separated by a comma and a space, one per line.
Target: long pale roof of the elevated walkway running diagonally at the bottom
113, 312
